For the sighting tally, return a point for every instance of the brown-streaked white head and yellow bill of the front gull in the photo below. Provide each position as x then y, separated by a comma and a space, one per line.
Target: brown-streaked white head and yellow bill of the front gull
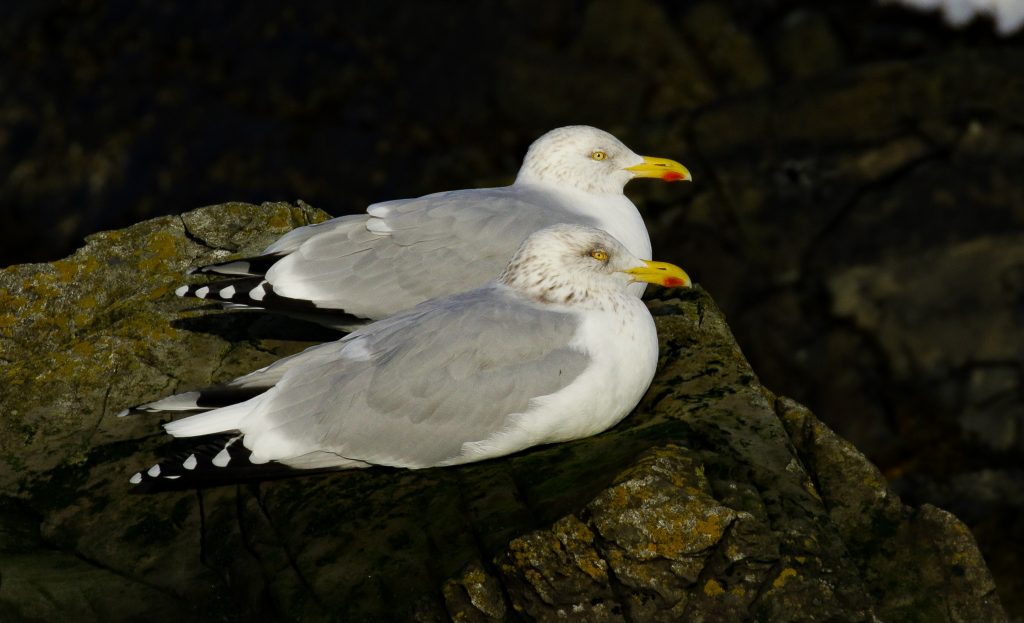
578, 266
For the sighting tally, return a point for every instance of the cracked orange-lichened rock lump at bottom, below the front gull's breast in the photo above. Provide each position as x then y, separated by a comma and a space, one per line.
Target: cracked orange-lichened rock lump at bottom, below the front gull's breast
652, 531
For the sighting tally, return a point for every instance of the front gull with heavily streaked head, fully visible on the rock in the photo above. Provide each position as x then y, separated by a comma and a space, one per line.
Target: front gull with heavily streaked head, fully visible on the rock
557, 349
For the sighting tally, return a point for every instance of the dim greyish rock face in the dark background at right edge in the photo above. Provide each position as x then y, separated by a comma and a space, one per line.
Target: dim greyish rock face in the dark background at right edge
920, 323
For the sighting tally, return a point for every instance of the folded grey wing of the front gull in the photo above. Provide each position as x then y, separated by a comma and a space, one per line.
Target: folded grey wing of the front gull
421, 385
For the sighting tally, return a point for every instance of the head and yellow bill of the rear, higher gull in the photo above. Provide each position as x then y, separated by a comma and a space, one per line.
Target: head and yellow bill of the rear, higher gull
587, 159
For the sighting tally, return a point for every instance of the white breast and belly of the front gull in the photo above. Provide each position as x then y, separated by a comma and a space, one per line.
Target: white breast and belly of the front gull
623, 347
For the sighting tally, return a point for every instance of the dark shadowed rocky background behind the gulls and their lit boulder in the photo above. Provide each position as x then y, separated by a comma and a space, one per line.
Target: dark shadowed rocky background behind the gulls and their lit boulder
858, 214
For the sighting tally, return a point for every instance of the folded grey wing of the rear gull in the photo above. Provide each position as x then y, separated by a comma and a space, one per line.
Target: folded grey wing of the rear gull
409, 252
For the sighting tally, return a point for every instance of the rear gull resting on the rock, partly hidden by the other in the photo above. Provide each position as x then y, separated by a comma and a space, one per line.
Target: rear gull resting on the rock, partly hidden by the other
353, 270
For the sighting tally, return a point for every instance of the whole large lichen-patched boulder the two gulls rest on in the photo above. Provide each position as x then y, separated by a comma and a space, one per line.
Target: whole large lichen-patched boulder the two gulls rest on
715, 501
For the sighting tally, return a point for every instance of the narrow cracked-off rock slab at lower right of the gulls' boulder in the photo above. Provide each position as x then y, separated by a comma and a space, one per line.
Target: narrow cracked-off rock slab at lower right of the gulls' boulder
921, 553
